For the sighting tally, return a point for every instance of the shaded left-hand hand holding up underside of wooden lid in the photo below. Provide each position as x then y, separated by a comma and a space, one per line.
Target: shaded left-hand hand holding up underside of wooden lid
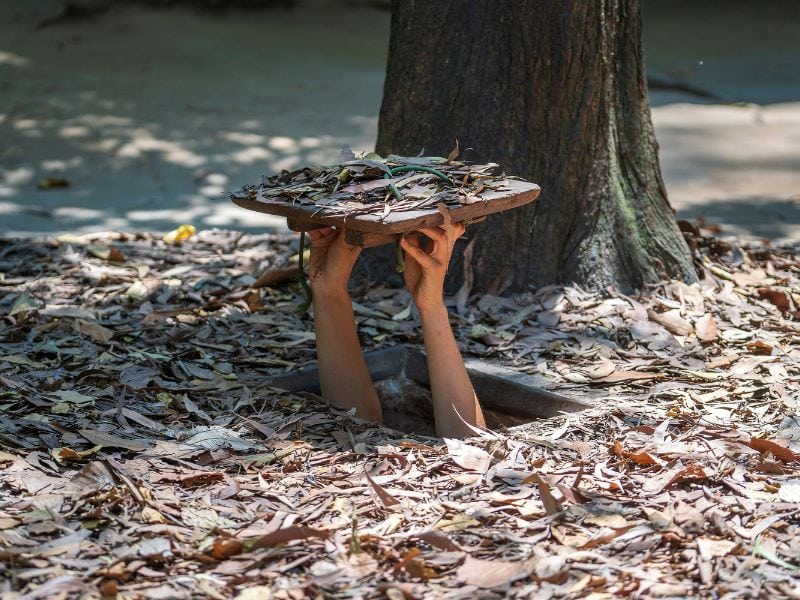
332, 260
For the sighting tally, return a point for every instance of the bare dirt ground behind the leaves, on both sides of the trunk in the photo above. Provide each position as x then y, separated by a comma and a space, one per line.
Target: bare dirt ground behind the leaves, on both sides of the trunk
151, 116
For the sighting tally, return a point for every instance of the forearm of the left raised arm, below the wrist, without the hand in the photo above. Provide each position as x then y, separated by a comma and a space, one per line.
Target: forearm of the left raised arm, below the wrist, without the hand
343, 374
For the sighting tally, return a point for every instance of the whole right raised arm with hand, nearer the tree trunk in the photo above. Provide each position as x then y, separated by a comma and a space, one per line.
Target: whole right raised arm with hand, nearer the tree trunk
452, 390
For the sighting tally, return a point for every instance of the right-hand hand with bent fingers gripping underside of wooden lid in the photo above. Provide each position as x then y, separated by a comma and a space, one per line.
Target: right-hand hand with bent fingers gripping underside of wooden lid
426, 268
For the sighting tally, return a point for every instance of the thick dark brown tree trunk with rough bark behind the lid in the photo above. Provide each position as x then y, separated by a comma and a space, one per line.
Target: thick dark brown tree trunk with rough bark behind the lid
554, 91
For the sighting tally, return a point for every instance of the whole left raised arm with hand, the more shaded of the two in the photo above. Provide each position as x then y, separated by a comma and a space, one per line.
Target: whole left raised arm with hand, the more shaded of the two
343, 375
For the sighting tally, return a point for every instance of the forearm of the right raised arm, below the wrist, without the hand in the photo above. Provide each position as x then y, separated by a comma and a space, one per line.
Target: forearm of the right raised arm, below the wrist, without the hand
450, 384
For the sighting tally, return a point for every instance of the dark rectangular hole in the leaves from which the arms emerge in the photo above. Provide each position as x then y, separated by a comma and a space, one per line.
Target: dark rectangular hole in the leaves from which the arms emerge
400, 374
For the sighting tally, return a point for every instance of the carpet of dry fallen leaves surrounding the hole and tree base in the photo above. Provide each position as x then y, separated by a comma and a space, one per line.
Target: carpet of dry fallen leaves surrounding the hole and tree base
144, 457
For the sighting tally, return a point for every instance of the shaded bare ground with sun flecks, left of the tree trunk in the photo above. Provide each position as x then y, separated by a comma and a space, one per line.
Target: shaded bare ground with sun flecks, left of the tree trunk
152, 129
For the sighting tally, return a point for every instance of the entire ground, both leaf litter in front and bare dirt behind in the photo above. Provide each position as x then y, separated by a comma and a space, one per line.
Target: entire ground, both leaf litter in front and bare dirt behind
143, 456
